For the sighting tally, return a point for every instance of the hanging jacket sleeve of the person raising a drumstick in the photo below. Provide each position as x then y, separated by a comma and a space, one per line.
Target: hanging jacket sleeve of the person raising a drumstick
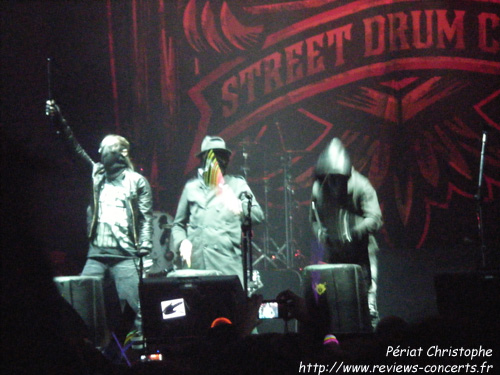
145, 201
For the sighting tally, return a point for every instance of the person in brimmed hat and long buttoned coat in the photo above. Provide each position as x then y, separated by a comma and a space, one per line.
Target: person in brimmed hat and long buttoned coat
207, 228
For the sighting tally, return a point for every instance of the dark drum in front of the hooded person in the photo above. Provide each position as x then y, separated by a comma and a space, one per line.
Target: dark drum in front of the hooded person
337, 295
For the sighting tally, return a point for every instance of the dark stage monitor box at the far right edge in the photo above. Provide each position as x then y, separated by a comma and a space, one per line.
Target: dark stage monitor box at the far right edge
474, 295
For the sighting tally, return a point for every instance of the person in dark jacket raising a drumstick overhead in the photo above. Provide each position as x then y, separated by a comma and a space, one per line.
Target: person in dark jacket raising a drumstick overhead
119, 216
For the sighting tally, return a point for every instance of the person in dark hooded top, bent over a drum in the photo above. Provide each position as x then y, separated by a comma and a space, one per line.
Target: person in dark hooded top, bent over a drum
345, 214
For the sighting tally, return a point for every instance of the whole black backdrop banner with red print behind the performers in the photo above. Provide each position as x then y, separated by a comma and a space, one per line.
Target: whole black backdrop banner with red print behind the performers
411, 87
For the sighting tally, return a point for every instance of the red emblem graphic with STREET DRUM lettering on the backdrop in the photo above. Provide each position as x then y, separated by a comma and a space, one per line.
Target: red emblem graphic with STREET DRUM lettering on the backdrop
407, 85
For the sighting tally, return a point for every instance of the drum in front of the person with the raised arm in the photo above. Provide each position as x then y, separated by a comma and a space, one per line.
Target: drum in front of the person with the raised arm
85, 295
